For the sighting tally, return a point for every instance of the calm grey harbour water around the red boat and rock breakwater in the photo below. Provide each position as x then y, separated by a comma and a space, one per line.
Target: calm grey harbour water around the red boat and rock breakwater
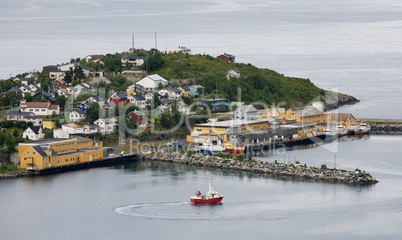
151, 200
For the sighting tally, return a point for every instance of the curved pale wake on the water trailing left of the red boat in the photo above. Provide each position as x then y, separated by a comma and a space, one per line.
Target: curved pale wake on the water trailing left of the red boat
172, 211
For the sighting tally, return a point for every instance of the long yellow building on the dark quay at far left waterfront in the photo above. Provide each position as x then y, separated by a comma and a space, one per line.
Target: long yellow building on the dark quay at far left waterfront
58, 152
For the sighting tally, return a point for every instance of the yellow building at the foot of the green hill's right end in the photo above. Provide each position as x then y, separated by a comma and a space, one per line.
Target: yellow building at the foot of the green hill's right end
305, 114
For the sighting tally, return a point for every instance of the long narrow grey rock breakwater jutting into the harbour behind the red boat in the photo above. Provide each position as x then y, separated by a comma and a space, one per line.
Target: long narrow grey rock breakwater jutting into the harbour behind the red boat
265, 168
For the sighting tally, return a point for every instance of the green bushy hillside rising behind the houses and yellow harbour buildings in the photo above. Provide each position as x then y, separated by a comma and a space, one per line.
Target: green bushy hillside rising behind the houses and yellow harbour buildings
257, 85
